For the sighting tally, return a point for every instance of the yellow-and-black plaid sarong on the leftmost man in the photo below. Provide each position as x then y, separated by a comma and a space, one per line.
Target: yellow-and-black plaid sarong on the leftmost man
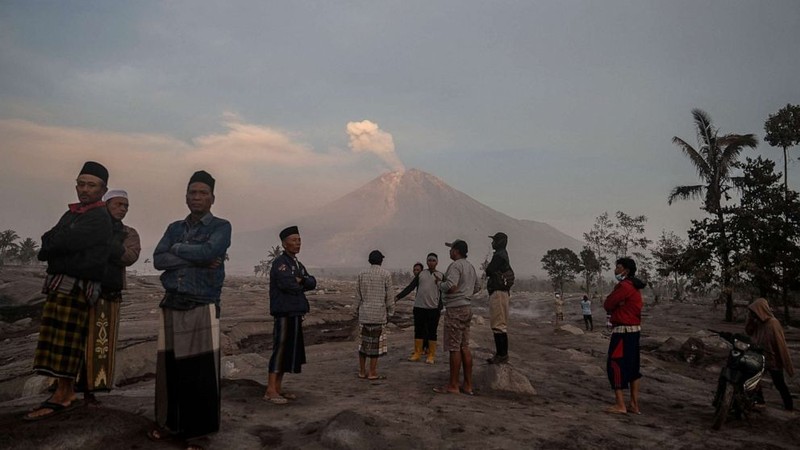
62, 335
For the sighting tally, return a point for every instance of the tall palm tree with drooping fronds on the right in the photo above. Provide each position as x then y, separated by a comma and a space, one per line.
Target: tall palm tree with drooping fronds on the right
714, 159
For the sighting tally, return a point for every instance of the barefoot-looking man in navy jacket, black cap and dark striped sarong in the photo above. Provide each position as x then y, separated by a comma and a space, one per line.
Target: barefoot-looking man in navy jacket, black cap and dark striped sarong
288, 282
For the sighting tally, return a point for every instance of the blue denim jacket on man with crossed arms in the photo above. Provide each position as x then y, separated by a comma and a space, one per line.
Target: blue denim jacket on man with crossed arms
186, 251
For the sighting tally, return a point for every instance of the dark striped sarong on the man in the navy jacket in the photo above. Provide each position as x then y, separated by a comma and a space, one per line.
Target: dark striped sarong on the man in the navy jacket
288, 347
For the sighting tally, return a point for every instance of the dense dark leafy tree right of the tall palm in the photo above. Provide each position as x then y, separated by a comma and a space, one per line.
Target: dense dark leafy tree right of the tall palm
765, 231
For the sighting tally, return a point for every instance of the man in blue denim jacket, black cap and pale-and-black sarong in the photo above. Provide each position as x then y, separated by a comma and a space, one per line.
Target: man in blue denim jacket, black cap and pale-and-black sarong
192, 255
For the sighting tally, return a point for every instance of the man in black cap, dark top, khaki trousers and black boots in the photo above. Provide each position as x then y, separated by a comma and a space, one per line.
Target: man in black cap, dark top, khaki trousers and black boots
499, 293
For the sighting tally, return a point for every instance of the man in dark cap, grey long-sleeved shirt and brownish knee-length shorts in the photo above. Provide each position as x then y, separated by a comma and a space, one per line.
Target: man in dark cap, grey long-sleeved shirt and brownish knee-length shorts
460, 283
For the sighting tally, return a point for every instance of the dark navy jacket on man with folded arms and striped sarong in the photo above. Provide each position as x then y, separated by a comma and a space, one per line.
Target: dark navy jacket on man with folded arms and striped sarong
286, 296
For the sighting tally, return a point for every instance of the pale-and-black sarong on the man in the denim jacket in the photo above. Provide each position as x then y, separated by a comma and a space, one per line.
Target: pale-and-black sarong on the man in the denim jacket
188, 371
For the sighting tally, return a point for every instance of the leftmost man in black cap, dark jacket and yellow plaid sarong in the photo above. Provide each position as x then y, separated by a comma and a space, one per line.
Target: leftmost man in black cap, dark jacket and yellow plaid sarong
76, 250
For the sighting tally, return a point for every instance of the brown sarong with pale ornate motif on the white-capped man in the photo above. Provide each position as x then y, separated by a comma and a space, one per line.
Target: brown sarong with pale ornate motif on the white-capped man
101, 345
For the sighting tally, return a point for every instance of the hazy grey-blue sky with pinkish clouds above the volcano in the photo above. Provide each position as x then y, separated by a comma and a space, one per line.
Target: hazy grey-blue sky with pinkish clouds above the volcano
553, 111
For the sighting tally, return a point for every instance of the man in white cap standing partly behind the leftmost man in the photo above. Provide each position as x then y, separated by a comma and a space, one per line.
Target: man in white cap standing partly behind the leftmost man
103, 326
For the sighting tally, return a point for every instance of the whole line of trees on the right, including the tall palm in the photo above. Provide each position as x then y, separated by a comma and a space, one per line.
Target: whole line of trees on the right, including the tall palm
748, 243
